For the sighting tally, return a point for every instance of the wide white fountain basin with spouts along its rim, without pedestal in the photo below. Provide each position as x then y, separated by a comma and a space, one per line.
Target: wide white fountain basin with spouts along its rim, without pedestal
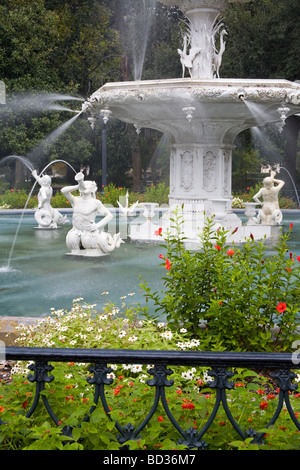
196, 110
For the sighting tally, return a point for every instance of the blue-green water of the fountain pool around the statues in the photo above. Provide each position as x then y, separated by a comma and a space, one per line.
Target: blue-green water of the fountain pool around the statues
43, 276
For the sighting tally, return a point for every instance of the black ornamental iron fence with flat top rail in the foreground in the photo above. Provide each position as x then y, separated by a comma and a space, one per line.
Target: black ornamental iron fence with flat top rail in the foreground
281, 366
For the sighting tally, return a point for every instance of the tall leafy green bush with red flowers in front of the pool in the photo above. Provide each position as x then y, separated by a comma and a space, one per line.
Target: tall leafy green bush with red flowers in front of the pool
243, 297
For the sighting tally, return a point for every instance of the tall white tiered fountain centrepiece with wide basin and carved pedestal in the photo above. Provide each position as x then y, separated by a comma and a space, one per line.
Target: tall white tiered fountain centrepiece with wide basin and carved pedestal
202, 115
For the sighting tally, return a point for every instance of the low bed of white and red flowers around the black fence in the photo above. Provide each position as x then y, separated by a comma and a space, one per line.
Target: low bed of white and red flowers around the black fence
129, 397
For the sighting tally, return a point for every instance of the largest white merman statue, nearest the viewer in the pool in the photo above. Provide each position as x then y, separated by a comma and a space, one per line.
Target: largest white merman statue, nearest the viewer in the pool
86, 237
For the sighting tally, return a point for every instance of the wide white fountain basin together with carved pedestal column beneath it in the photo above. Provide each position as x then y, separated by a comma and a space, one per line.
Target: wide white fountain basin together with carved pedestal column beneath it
202, 118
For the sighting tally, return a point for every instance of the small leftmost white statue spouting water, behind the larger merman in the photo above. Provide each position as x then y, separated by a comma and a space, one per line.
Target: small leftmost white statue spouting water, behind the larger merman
46, 216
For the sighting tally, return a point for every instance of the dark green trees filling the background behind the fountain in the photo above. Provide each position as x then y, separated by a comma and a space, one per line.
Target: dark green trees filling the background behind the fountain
74, 48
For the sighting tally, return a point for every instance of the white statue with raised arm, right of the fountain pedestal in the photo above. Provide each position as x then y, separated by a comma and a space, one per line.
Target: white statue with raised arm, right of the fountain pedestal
270, 213
